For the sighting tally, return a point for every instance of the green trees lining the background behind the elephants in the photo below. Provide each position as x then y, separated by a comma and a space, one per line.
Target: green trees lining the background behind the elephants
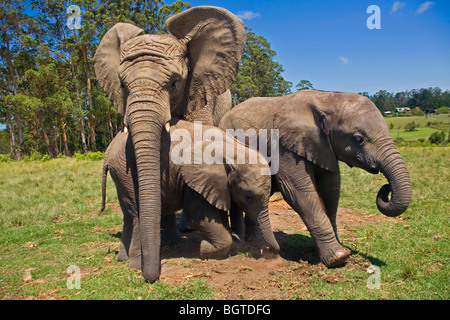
51, 102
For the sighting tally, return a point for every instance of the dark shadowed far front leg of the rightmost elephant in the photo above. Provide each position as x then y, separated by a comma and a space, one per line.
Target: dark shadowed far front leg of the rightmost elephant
328, 187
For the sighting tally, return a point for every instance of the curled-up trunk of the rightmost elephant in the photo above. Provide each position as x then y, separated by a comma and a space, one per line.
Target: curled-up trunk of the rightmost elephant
394, 169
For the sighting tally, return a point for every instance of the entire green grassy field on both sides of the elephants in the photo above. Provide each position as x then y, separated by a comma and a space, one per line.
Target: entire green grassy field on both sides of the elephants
50, 220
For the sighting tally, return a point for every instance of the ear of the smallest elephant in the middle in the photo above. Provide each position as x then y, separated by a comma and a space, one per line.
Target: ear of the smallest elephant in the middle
209, 180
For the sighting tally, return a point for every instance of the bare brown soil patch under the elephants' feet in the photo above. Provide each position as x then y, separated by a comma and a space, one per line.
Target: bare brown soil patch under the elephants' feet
250, 274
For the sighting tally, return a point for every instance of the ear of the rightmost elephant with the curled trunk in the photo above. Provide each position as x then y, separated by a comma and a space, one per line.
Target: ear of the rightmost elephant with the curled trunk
305, 130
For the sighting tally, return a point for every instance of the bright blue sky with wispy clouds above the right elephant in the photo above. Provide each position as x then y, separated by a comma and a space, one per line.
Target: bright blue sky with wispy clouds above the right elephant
328, 43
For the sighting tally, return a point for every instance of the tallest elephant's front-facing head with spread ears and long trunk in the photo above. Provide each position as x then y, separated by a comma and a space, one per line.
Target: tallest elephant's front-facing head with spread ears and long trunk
151, 79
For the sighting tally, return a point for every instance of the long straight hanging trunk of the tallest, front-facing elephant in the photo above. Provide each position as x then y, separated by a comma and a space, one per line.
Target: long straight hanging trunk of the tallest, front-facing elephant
146, 121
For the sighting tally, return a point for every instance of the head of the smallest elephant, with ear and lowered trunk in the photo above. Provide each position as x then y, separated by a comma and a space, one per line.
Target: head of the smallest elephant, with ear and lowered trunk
228, 180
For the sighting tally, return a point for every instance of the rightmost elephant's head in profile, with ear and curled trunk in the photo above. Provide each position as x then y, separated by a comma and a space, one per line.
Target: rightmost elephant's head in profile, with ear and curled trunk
325, 127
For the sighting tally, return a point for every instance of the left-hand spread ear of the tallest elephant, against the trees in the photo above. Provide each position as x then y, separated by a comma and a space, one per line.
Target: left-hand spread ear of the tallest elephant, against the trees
107, 62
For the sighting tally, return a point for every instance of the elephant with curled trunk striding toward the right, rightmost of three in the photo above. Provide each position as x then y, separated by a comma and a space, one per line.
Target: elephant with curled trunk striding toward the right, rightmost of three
316, 129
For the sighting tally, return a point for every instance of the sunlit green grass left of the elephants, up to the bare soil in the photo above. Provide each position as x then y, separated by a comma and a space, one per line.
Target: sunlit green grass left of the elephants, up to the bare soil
50, 220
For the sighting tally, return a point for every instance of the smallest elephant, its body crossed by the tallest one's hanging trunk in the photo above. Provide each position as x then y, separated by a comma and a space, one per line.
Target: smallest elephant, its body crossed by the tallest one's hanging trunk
206, 191
